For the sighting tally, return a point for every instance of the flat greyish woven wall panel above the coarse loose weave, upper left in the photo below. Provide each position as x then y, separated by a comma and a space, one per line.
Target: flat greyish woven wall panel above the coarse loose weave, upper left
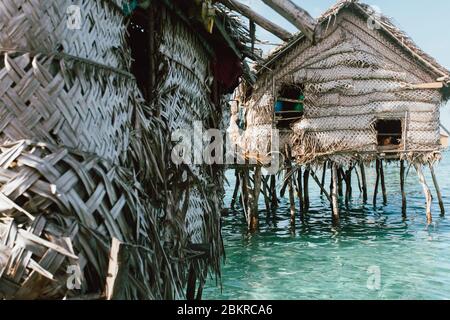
48, 92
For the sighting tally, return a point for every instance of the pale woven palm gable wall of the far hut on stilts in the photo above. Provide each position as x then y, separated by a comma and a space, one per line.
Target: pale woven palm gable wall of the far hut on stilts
352, 77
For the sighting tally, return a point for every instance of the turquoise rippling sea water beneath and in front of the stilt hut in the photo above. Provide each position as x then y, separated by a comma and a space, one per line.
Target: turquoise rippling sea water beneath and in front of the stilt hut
374, 253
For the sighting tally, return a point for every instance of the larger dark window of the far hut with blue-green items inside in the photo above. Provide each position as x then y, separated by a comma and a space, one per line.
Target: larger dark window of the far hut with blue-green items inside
289, 106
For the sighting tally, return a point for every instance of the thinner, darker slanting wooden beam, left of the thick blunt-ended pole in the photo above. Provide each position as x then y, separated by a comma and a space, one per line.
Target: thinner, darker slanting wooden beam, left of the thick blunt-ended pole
258, 19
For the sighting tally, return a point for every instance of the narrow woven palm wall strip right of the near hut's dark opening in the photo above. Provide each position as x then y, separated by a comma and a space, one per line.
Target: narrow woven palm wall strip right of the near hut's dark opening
183, 96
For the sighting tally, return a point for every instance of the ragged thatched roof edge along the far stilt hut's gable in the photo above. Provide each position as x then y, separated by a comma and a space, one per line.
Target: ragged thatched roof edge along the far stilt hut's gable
386, 26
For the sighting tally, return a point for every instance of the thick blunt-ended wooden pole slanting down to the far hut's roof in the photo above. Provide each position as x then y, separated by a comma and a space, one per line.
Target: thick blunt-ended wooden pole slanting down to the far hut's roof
295, 15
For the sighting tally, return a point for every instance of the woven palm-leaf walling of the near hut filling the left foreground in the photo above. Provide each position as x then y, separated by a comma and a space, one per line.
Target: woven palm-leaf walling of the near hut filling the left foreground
74, 172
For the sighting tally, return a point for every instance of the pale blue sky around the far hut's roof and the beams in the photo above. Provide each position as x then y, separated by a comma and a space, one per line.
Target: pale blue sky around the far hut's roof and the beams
426, 22
